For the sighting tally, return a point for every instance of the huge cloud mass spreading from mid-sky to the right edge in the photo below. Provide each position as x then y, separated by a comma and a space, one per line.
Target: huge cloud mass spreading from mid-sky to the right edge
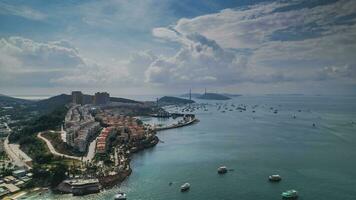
261, 38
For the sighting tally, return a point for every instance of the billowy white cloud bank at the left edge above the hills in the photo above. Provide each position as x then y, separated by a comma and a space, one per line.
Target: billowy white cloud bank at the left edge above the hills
26, 62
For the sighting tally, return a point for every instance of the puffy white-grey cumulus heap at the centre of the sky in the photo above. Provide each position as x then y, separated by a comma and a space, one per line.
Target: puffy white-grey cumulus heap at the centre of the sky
200, 60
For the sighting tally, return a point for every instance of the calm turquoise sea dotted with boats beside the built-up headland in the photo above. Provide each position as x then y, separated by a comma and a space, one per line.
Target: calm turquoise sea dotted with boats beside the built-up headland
319, 162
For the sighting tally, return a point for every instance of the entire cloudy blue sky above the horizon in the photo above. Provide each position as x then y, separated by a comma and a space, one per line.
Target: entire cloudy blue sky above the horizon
134, 47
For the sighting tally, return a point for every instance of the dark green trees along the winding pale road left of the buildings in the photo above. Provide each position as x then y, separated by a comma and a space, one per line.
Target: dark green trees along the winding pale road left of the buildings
47, 169
